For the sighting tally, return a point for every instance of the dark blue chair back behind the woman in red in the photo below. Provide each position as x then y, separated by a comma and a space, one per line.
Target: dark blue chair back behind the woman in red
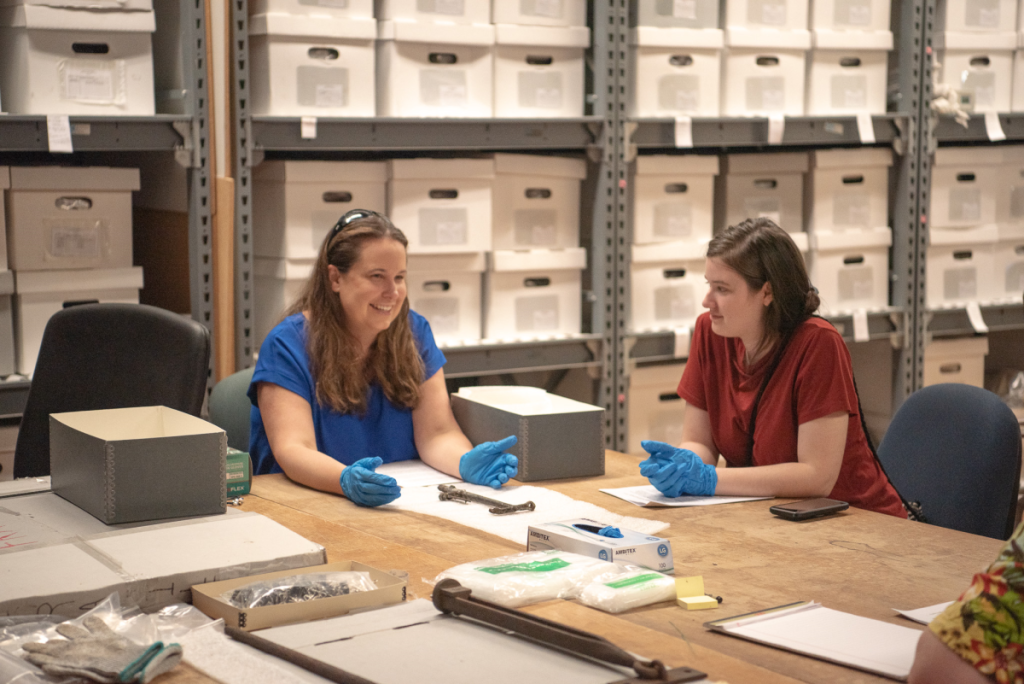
957, 449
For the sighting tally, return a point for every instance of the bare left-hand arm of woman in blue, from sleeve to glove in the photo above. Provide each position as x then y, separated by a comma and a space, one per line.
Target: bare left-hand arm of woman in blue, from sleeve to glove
289, 423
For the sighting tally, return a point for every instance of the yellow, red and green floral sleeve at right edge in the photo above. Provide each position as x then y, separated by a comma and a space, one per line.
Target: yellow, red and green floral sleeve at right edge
987, 626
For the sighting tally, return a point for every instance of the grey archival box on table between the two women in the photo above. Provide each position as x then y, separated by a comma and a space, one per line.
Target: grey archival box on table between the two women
559, 438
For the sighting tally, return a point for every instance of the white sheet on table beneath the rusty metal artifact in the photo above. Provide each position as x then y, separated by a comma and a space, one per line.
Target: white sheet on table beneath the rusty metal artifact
551, 506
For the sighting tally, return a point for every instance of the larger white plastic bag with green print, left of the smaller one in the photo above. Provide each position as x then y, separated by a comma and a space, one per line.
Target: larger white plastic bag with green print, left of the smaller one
527, 578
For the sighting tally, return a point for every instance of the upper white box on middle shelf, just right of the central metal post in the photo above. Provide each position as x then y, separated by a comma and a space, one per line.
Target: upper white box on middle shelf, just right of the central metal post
674, 198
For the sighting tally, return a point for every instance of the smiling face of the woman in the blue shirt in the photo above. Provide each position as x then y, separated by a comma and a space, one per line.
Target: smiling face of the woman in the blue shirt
374, 289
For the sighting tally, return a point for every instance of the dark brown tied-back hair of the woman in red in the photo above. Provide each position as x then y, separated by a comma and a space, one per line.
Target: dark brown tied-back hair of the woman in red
761, 252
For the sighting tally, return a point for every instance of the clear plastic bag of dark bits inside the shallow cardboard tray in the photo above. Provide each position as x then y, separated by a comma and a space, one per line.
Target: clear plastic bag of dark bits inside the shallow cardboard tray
298, 588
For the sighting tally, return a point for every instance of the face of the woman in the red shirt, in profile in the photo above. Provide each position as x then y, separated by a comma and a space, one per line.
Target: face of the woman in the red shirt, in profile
737, 310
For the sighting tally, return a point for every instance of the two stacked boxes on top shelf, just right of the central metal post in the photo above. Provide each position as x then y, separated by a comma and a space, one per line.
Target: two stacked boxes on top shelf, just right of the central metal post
676, 58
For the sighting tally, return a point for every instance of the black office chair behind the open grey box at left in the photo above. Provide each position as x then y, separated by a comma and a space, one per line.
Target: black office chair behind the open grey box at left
111, 357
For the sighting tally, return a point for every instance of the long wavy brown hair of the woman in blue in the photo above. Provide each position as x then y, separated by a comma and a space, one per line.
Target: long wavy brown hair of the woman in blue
394, 361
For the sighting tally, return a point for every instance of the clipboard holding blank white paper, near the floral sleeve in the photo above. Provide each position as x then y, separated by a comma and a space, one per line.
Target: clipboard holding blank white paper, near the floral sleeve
809, 629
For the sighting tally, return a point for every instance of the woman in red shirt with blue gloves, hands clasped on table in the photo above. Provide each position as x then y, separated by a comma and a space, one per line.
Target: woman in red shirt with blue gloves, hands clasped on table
769, 384
